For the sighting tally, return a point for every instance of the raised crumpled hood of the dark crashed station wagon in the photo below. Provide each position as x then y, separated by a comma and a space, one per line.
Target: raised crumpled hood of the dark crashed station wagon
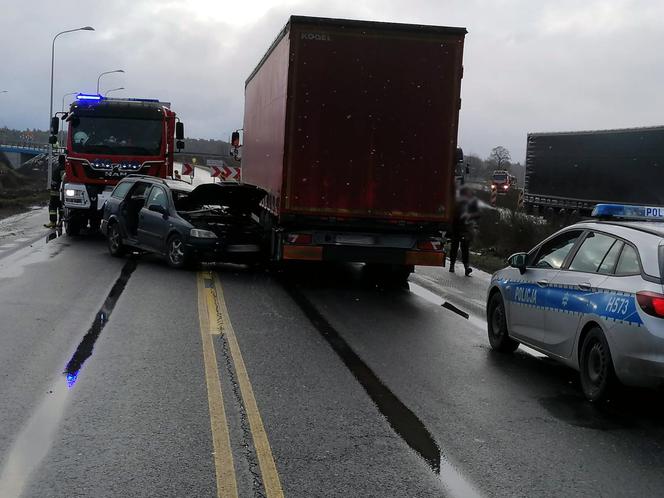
236, 196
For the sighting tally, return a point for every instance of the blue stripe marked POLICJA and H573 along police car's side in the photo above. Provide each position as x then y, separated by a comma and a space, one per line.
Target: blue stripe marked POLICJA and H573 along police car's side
609, 304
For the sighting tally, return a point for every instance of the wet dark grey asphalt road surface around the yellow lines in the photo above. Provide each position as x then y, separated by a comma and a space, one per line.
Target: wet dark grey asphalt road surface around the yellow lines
348, 379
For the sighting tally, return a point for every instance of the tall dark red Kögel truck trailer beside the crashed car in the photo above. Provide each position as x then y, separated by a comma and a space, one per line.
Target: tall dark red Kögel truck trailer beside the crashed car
351, 128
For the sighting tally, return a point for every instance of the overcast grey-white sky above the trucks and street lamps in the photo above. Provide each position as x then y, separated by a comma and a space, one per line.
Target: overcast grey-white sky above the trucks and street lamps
529, 65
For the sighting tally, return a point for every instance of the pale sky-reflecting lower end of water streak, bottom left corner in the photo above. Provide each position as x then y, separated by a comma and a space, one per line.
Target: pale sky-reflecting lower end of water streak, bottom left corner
34, 441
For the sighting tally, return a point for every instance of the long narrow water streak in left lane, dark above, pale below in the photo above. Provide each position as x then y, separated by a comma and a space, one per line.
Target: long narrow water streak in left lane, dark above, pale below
35, 439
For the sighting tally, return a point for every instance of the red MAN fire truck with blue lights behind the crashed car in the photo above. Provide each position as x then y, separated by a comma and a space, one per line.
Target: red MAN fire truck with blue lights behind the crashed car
108, 139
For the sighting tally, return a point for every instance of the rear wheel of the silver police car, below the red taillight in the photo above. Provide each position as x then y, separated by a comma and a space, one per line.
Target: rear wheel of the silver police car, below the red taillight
598, 377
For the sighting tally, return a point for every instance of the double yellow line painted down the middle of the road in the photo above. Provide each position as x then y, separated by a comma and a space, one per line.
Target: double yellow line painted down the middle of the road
214, 321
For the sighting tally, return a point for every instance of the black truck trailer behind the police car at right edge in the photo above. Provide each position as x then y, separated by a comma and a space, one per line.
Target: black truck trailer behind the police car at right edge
575, 171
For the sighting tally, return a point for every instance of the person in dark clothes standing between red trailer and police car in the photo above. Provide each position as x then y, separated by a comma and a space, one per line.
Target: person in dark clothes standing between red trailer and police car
464, 225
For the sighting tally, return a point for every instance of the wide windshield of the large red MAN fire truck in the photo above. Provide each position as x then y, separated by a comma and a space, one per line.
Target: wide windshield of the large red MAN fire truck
109, 135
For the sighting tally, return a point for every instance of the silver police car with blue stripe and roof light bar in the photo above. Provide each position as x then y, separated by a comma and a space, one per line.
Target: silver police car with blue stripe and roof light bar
590, 296
